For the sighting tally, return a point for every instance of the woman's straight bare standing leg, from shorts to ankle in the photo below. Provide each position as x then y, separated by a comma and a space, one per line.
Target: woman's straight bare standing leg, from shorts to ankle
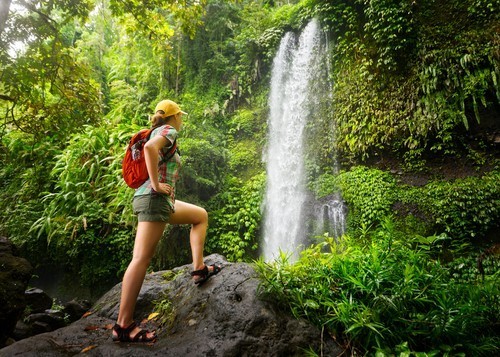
147, 237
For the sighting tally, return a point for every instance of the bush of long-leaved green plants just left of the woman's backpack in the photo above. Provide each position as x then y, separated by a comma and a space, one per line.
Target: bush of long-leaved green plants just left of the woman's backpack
86, 218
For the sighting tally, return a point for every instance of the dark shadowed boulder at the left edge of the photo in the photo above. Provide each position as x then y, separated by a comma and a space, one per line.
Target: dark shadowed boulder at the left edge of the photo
15, 273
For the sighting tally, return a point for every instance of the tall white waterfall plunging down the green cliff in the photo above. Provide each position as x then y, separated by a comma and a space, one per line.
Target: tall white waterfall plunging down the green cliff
292, 99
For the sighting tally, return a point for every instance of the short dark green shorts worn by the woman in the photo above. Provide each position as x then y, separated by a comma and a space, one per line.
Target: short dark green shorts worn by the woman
152, 208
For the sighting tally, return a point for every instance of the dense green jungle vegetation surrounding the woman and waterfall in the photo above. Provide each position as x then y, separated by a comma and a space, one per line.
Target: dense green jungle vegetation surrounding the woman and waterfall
414, 124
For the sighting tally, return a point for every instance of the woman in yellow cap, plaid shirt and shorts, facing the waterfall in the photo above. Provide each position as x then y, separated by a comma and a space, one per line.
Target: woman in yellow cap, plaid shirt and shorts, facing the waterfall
155, 205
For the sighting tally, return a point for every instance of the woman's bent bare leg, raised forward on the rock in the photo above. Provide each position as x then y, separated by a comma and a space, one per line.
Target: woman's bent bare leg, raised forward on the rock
186, 213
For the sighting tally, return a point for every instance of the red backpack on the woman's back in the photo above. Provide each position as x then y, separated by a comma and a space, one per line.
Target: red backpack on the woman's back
134, 170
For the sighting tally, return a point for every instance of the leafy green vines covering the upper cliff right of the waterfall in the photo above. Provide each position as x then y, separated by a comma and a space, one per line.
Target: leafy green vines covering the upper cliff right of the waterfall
408, 78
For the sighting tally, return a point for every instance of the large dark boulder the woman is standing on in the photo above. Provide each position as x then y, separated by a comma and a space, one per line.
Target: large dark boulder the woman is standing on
224, 317
